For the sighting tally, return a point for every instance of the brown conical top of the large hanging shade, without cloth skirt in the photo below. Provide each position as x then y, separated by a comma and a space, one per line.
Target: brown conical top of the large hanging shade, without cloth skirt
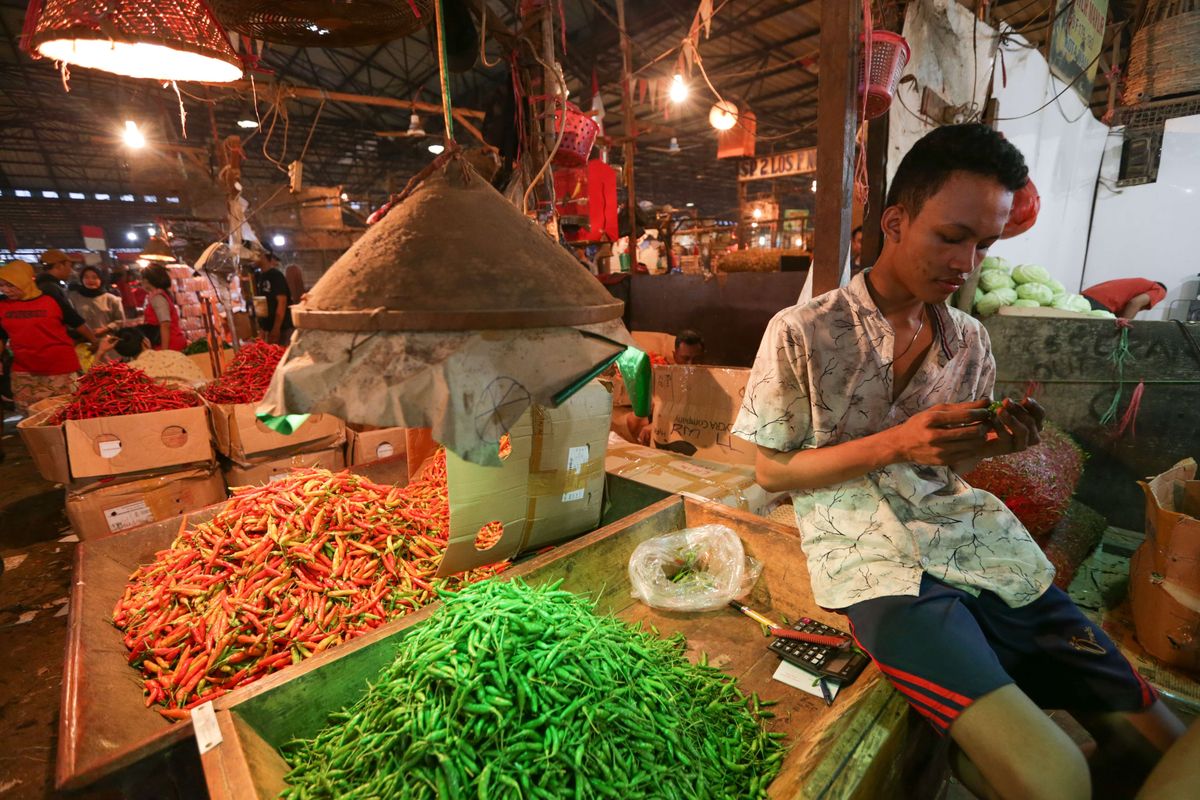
455, 256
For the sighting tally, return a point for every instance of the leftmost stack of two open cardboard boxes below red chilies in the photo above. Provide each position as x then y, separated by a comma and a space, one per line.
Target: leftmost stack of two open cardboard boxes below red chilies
127, 471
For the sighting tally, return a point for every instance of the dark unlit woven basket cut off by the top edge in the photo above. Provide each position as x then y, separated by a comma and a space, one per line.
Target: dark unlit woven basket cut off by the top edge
325, 23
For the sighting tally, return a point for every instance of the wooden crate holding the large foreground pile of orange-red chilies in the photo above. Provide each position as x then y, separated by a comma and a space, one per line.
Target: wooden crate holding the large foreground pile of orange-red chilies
105, 730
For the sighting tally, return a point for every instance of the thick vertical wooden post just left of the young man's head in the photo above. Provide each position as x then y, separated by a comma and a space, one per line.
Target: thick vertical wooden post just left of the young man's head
837, 122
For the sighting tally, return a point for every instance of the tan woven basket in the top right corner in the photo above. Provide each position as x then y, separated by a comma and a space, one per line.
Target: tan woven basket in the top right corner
1165, 57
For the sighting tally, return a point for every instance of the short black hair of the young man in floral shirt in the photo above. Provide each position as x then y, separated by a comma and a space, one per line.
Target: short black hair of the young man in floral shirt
973, 148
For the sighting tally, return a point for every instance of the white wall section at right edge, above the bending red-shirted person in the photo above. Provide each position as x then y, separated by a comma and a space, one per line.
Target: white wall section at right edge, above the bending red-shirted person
1151, 231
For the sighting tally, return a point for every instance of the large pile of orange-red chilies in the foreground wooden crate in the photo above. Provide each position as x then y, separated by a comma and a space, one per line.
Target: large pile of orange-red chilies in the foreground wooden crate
283, 573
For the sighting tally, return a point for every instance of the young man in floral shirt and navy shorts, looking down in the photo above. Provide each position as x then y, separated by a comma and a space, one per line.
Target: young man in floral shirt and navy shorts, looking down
868, 404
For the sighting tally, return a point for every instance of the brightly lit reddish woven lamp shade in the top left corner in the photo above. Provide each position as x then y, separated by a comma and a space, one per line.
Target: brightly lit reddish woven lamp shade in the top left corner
164, 40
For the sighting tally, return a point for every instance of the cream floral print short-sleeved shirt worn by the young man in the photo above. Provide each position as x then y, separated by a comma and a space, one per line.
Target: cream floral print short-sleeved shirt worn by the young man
824, 377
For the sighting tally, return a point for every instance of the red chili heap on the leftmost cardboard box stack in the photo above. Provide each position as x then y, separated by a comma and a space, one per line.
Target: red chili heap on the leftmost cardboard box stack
118, 389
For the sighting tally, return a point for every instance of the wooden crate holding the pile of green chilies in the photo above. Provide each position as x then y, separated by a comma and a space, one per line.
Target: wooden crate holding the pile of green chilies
842, 751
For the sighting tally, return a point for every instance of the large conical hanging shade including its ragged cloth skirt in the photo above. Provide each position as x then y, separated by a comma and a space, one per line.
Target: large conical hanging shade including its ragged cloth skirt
454, 312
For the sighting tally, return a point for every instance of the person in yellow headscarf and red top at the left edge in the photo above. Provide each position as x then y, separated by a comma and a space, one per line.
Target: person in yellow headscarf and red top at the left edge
45, 362
